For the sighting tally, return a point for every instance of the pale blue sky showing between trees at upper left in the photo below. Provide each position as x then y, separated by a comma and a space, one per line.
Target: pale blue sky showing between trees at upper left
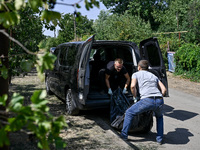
91, 14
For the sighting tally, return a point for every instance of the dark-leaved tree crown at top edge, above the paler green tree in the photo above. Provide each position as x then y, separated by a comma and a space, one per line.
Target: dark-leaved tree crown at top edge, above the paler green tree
143, 9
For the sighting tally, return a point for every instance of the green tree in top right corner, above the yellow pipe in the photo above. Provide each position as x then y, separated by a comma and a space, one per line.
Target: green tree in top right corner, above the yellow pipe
181, 15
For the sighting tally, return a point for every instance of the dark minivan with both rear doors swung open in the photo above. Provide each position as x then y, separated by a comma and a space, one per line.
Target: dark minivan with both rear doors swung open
75, 77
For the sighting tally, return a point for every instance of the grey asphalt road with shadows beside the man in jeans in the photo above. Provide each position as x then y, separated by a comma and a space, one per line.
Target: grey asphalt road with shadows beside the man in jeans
181, 125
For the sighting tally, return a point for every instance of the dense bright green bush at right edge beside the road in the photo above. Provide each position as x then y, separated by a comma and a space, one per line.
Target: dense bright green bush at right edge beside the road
187, 60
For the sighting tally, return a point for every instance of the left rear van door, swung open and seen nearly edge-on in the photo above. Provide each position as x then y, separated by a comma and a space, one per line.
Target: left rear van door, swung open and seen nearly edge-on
83, 70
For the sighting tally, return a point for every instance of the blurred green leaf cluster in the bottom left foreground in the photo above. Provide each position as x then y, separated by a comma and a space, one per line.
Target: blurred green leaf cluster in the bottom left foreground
35, 118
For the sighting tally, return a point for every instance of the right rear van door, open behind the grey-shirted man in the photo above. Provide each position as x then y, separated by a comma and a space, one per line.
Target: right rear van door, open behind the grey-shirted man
150, 50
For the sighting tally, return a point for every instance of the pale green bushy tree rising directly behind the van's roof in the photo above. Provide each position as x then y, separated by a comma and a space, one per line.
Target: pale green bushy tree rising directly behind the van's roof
121, 27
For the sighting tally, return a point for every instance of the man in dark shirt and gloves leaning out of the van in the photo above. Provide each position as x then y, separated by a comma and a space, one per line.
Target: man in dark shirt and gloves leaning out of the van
116, 76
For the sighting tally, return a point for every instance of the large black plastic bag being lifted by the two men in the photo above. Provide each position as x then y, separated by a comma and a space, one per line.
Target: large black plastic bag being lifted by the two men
119, 104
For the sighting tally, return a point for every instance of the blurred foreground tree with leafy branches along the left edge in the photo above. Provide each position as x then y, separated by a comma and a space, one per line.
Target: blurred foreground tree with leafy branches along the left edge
42, 124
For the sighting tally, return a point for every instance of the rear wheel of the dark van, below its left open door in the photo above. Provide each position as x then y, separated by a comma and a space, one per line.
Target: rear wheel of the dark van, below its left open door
70, 103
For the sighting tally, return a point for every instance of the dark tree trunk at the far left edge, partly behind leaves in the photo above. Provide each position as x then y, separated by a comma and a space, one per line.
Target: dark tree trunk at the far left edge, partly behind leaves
4, 46
